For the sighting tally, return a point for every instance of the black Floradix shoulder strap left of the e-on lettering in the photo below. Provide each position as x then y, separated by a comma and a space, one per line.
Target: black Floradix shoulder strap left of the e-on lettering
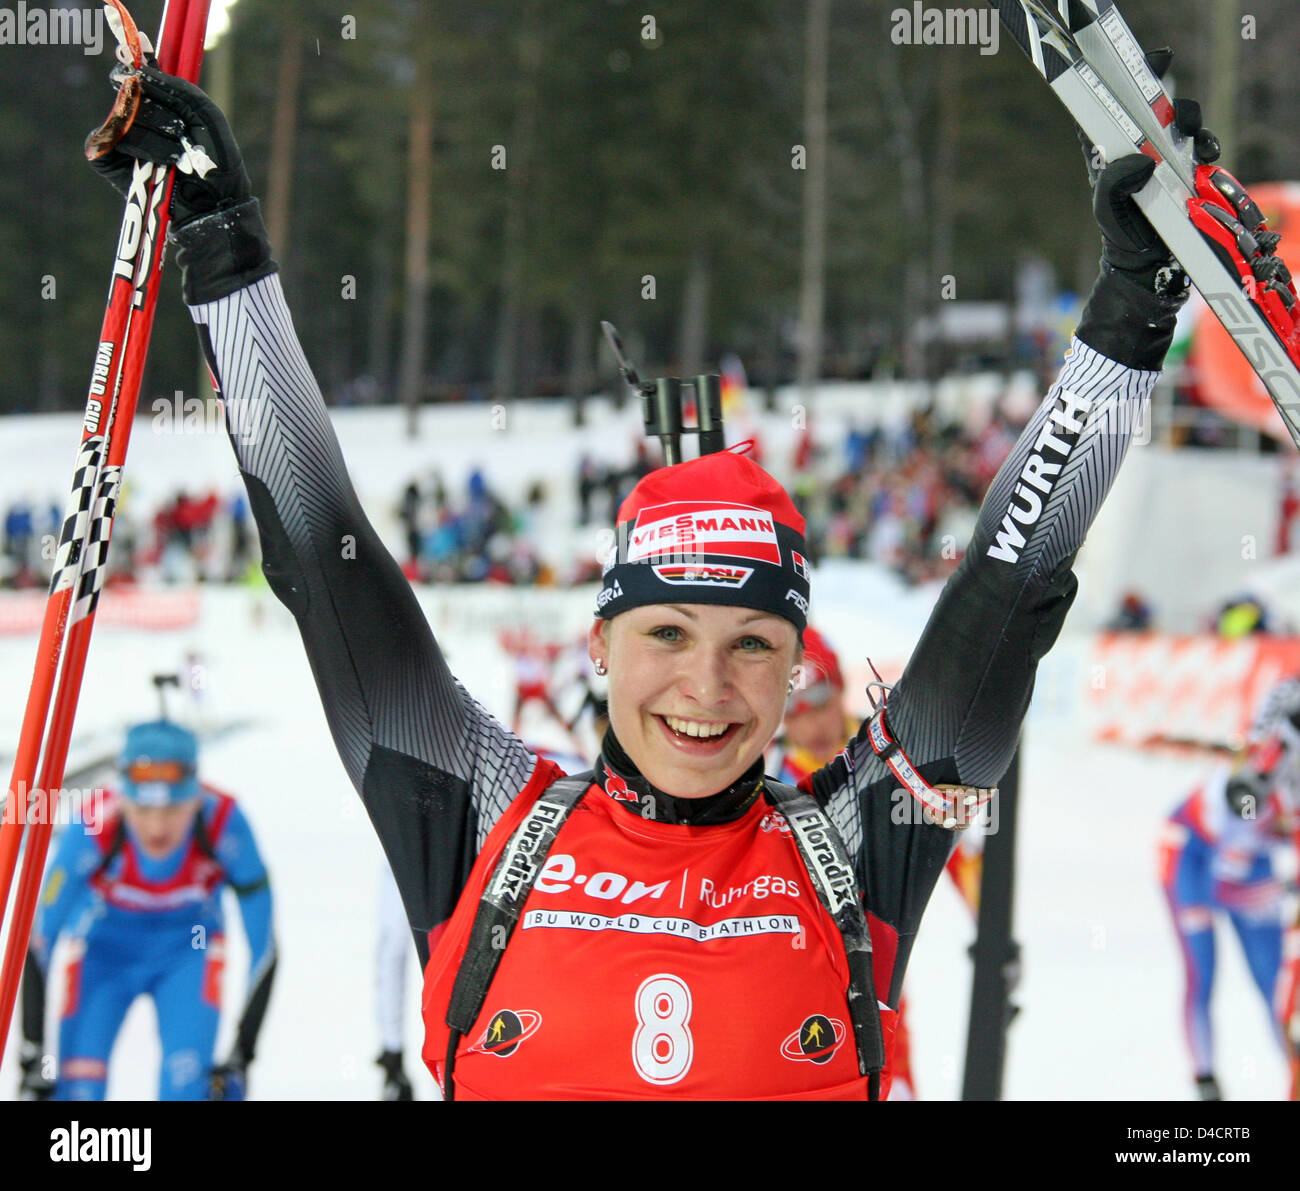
512, 882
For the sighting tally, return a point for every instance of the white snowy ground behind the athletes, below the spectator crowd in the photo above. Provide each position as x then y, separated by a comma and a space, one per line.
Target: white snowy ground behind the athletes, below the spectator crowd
1102, 990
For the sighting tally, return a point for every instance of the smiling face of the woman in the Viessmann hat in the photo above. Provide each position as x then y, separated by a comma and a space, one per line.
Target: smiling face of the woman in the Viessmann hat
696, 691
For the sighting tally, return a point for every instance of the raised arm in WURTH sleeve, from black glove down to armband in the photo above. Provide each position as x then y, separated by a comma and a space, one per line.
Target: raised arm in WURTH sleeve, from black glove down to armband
964, 695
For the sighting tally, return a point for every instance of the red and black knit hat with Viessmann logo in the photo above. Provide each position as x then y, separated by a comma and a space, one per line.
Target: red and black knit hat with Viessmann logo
716, 530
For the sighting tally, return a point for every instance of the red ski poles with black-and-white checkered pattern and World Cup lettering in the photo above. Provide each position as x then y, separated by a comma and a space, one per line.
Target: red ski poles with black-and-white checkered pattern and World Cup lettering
88, 526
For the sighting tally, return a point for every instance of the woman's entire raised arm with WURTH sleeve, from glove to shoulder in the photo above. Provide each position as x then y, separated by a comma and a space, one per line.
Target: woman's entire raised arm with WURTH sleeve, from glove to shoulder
959, 707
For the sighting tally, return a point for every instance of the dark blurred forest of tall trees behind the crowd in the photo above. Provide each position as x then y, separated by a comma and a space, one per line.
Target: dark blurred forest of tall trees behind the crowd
460, 192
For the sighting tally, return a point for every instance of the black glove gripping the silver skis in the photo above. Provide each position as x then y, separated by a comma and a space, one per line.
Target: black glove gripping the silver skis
1134, 306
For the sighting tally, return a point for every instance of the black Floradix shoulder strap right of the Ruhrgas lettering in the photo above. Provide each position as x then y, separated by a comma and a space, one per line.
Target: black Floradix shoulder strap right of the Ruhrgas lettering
831, 872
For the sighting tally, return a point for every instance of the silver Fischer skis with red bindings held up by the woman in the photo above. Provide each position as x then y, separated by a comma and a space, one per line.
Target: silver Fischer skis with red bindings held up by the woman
1087, 54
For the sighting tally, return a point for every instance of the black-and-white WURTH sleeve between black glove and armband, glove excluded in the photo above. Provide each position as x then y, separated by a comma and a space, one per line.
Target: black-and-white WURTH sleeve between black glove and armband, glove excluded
970, 678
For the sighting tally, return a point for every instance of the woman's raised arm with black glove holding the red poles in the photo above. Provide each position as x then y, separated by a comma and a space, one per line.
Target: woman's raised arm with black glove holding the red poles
434, 769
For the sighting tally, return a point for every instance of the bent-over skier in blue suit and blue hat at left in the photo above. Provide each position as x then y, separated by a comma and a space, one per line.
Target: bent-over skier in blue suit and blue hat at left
137, 891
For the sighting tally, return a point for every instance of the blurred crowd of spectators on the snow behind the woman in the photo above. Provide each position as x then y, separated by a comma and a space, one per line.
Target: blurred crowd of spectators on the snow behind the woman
904, 497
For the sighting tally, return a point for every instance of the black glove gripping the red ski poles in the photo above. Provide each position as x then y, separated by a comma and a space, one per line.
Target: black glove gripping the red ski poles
216, 224
